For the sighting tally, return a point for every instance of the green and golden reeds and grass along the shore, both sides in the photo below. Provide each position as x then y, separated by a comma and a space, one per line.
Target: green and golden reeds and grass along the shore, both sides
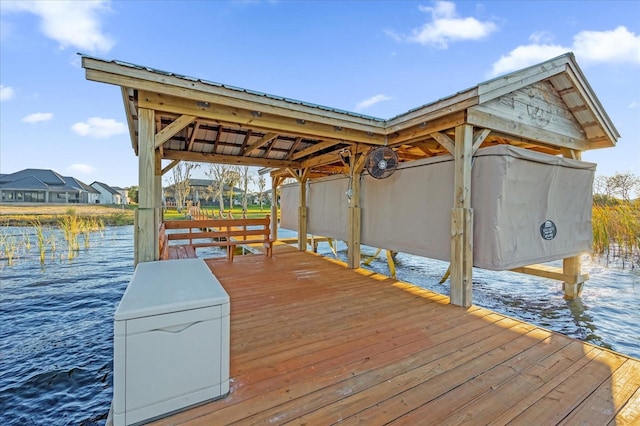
616, 226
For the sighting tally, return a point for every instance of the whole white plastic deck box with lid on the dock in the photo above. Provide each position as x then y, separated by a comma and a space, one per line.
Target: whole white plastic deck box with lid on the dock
171, 345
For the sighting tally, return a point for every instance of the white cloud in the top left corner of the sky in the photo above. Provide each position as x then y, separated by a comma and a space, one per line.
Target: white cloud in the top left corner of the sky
70, 23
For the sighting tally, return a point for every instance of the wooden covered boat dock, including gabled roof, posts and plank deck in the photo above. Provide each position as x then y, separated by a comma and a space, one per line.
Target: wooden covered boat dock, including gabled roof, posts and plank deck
314, 341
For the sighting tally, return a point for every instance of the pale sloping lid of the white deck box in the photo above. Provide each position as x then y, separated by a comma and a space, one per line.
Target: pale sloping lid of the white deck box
170, 286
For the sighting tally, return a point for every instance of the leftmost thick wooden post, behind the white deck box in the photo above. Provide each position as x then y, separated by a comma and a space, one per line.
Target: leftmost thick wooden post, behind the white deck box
146, 244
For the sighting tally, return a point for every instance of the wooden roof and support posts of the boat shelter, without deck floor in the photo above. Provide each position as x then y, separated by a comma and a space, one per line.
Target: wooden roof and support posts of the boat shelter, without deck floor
548, 108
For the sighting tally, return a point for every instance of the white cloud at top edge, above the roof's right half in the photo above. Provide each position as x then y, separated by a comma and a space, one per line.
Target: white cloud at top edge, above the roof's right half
446, 26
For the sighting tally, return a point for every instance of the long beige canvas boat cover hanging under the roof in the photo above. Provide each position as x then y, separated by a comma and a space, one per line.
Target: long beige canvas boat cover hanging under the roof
528, 207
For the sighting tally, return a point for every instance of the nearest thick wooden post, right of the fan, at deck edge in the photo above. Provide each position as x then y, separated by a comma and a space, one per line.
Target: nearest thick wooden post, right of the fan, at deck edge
462, 219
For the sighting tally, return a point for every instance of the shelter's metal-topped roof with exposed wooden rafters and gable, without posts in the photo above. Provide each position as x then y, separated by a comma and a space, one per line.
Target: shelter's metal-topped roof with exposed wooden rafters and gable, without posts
204, 121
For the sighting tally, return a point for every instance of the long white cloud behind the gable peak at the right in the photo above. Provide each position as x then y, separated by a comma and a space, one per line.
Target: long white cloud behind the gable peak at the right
617, 46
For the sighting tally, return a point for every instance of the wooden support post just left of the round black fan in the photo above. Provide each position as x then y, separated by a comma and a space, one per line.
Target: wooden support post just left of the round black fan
355, 214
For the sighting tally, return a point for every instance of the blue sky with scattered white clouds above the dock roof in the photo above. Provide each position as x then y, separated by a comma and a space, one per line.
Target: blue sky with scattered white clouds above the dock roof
377, 58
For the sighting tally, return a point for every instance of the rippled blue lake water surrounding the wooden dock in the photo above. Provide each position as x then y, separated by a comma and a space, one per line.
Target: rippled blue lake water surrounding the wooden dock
56, 321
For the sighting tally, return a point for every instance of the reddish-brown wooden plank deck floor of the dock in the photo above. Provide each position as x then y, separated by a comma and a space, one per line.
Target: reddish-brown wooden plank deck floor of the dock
315, 343
